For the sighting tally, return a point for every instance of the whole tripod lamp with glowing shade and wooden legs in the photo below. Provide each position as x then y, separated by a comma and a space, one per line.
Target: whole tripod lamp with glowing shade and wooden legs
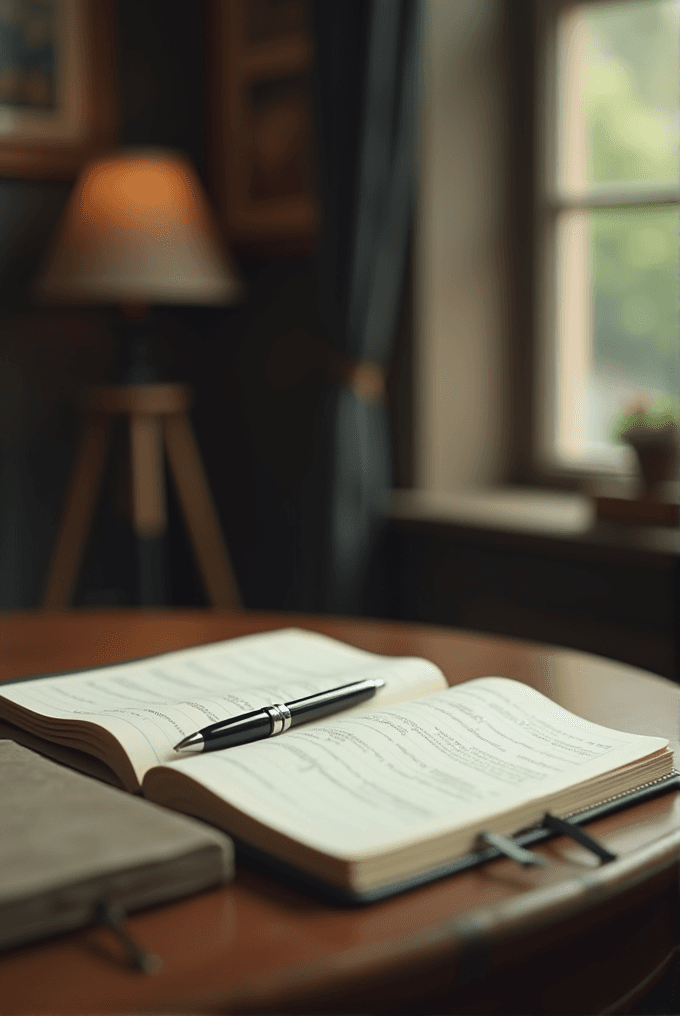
137, 231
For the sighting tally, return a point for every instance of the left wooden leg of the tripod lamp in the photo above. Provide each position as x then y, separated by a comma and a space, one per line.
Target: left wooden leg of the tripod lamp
81, 499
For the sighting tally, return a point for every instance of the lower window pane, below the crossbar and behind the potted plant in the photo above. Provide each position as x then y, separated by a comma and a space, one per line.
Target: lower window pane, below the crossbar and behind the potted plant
617, 324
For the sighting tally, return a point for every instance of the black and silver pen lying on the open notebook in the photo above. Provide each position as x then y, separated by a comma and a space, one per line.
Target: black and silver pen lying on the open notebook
273, 720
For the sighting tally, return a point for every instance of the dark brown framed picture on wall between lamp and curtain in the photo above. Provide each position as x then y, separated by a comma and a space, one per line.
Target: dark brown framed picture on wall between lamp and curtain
262, 129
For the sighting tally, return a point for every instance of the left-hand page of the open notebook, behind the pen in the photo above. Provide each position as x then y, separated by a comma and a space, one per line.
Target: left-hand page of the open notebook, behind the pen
151, 706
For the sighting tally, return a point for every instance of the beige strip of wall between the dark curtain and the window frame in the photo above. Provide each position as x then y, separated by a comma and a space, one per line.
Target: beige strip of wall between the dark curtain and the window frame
462, 258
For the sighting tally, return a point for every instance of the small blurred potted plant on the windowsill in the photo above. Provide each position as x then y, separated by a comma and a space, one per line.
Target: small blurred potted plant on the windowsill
655, 437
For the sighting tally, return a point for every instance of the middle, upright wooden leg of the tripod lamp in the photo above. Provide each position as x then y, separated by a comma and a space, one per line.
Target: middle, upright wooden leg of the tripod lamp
149, 509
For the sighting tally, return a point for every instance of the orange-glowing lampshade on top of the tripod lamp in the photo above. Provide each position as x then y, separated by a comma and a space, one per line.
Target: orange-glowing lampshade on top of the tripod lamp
138, 229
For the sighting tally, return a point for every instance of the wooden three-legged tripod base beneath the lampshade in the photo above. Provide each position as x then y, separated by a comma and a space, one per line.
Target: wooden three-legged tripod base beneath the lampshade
158, 418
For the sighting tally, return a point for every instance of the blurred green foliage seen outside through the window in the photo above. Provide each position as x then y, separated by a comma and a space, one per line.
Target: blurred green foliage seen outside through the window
632, 89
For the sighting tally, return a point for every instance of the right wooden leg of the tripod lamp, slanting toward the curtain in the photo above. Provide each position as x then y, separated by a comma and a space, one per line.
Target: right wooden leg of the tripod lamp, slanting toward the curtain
200, 513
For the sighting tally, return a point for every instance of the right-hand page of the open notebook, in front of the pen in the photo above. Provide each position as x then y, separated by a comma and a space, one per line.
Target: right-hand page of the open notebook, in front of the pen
354, 787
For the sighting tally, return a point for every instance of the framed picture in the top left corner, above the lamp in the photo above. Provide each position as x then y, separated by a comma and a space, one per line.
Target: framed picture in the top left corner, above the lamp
57, 86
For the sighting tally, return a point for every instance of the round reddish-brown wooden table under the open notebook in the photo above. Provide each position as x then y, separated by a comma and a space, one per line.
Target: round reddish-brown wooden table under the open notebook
571, 938
